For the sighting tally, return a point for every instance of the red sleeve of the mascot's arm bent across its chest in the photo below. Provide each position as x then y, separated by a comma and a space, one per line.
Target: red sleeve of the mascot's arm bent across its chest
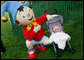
28, 35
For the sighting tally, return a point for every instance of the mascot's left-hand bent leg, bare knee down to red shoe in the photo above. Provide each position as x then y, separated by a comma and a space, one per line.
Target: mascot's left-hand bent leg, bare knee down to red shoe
31, 50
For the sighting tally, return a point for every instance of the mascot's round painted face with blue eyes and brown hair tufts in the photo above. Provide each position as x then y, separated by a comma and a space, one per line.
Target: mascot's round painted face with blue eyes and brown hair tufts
25, 15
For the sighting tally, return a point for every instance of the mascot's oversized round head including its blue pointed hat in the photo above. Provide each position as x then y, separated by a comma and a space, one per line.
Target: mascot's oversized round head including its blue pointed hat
22, 13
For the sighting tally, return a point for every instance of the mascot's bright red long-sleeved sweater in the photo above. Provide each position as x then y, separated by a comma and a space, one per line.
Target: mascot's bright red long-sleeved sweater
31, 34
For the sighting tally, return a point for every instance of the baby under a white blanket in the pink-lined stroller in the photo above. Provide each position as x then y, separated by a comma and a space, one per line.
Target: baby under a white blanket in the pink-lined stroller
59, 37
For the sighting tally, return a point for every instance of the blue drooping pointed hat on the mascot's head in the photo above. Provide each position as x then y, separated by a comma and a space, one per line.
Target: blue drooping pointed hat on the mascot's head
11, 7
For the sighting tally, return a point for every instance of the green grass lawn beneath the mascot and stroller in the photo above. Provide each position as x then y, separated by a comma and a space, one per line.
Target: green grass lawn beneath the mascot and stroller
16, 49
